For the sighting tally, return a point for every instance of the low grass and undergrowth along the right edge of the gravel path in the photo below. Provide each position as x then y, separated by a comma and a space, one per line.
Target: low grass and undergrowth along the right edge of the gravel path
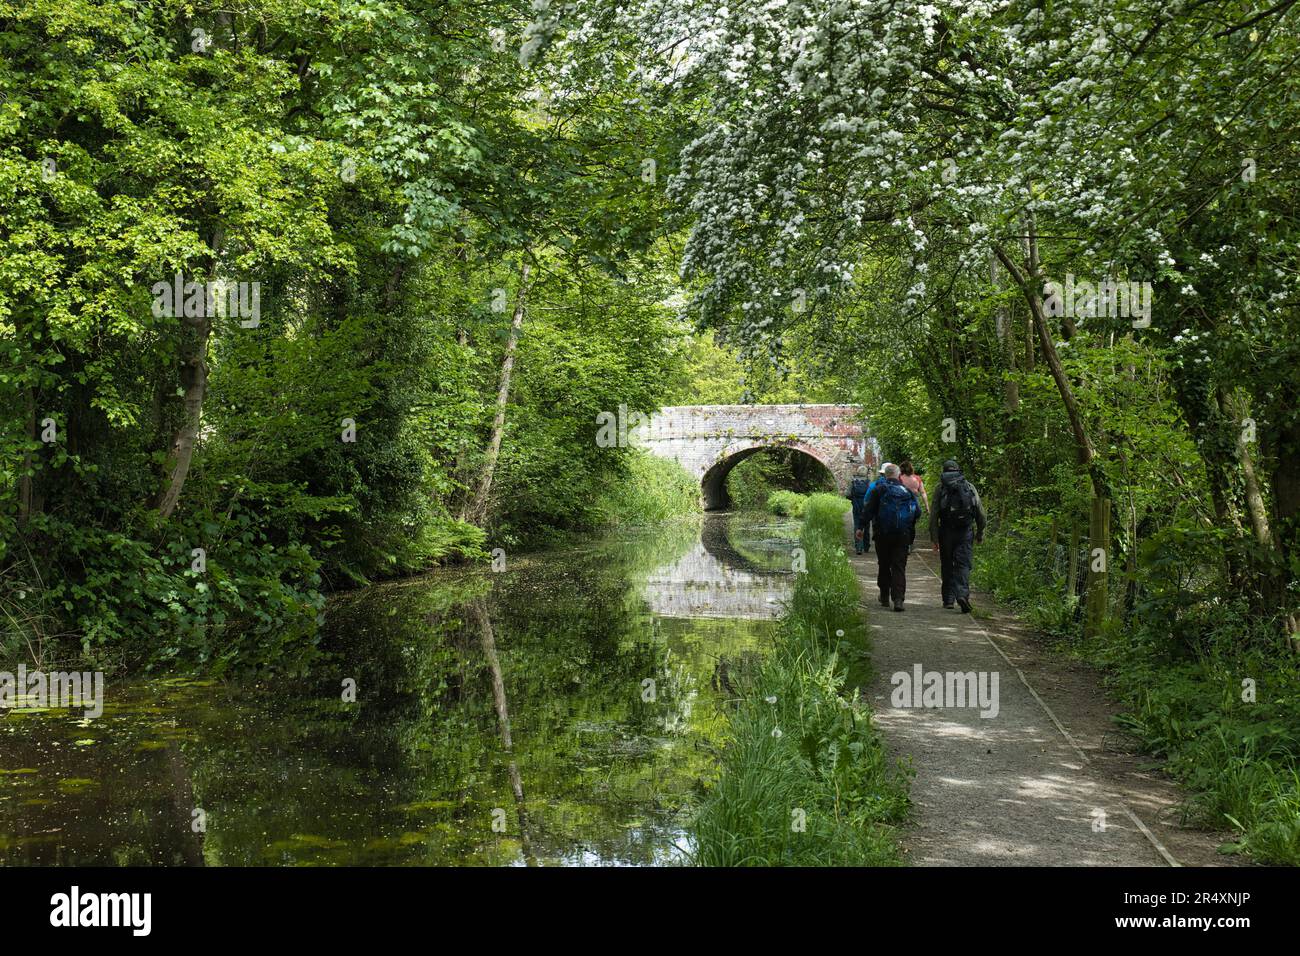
1177, 667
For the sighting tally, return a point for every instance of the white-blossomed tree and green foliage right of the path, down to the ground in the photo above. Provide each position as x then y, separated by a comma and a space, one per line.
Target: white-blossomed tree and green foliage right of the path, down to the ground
926, 305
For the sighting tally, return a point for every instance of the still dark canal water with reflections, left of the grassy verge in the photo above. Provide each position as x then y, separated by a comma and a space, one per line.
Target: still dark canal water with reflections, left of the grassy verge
565, 711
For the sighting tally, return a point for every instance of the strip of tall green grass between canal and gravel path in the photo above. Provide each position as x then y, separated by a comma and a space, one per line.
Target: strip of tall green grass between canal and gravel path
805, 780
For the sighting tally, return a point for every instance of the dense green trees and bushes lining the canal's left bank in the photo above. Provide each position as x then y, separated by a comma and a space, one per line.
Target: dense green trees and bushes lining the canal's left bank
382, 171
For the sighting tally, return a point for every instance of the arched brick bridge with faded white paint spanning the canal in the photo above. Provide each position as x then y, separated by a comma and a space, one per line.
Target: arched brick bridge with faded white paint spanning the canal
710, 440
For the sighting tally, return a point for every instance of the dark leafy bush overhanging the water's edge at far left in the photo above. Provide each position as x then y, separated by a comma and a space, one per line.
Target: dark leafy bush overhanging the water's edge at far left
137, 604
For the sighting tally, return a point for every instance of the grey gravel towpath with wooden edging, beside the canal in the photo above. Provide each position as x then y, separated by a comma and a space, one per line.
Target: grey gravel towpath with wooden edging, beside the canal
1048, 781
